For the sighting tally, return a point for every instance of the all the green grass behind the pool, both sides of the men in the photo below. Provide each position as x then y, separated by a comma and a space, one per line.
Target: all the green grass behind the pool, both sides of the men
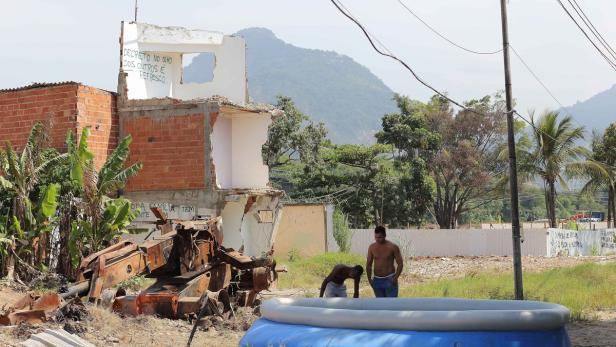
583, 288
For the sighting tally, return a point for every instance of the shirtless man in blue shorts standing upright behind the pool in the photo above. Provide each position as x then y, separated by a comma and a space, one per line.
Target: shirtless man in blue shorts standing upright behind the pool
383, 252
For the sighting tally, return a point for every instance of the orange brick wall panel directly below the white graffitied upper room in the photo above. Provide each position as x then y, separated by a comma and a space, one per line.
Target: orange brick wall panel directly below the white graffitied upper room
171, 149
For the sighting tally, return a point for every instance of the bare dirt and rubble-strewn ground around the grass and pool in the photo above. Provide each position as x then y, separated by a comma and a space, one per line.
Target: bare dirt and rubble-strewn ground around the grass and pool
104, 328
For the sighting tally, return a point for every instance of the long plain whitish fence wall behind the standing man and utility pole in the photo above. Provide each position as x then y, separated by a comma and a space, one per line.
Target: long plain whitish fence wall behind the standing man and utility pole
443, 242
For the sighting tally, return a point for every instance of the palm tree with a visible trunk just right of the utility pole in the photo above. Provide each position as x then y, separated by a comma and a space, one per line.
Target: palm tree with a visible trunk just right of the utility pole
554, 149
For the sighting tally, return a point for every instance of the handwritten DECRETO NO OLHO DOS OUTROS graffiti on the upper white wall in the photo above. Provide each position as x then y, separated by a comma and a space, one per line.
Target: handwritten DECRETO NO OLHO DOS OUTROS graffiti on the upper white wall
151, 66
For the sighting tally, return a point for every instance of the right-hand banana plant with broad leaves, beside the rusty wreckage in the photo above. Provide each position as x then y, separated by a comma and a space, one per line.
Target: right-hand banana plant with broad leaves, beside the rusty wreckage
102, 218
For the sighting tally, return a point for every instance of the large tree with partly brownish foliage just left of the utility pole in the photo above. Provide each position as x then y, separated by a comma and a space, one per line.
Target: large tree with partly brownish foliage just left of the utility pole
460, 150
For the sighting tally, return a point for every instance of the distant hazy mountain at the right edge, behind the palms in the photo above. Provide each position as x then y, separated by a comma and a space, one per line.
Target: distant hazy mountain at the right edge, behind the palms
597, 112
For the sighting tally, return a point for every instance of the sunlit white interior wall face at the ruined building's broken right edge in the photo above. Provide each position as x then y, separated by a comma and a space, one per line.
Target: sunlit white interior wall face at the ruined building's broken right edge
249, 133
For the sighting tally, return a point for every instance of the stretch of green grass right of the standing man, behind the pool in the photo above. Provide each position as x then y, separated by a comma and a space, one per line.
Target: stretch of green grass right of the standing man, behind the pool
583, 289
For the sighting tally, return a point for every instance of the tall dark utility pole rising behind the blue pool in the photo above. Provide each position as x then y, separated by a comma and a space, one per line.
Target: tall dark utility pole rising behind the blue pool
513, 171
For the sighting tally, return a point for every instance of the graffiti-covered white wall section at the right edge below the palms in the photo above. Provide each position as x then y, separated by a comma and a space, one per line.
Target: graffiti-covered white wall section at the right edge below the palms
586, 242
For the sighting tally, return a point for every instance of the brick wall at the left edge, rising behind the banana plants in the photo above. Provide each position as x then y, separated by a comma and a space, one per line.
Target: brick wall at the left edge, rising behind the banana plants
62, 107
